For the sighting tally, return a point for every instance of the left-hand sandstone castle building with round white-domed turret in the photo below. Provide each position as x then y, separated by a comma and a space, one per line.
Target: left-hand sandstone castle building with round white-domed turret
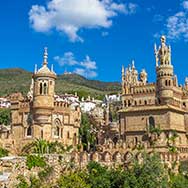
40, 115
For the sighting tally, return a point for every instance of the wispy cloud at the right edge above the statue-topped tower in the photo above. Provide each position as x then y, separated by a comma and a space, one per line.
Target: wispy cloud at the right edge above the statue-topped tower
177, 24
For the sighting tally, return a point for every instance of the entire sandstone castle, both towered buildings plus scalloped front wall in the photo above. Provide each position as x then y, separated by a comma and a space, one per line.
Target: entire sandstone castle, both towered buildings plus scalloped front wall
152, 115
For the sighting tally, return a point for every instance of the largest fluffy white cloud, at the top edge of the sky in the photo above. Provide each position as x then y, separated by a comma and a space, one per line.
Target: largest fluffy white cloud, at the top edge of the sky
69, 16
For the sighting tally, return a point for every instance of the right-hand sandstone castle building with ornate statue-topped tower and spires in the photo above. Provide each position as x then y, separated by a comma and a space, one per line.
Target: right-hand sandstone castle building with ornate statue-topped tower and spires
148, 107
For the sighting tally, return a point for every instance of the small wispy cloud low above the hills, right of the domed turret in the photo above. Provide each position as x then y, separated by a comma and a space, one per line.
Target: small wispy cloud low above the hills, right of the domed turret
86, 67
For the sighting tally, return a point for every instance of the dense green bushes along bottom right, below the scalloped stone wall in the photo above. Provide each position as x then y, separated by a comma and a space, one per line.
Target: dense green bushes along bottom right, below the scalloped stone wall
150, 174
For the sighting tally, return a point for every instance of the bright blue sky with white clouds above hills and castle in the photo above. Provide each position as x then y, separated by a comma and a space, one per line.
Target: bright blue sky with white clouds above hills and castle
93, 37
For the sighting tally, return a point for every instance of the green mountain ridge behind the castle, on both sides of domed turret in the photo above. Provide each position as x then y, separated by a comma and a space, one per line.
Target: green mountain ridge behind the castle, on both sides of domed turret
13, 80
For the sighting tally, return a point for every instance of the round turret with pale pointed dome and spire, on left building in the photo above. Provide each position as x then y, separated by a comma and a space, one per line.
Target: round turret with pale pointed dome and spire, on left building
43, 99
